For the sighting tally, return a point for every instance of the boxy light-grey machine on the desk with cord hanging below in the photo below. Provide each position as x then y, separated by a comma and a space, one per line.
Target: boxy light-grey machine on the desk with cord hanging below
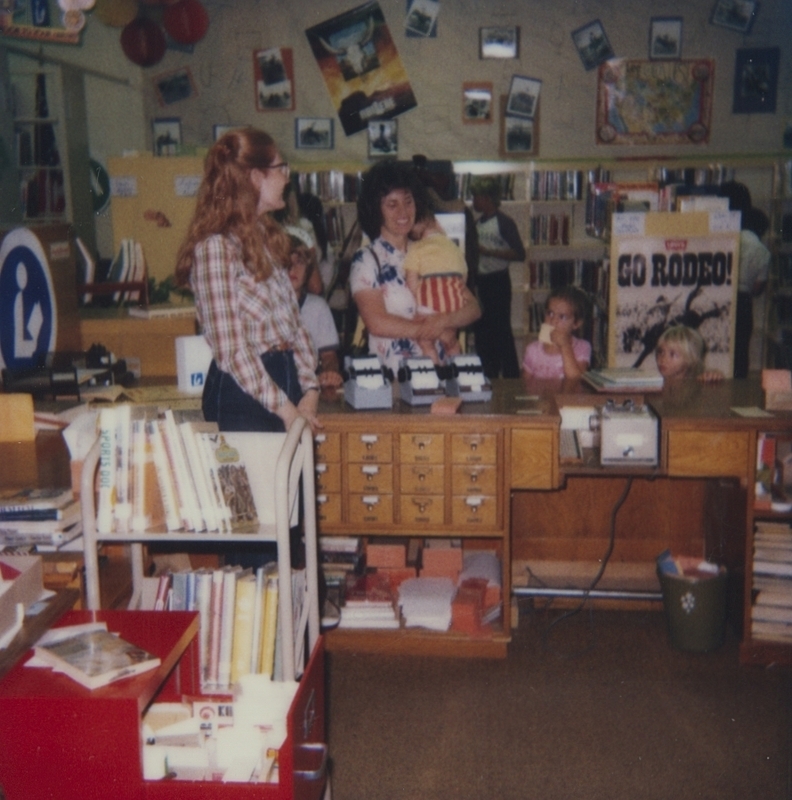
628, 434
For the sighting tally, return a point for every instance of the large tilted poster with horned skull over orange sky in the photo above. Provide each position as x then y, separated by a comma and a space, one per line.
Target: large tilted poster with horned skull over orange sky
361, 67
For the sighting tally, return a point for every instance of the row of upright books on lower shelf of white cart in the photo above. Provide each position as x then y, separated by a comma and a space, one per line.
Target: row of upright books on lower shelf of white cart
239, 623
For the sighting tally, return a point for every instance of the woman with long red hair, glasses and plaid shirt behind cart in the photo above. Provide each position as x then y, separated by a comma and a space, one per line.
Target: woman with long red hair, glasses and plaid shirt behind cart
235, 259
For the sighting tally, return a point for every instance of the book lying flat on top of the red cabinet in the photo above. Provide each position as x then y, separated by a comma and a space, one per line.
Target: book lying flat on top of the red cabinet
94, 657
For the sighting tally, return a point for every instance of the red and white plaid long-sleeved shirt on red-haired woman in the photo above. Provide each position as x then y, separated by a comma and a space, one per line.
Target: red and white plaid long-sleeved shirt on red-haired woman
243, 318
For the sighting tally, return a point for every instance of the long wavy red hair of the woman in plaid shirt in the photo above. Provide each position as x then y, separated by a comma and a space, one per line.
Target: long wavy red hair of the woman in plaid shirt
227, 205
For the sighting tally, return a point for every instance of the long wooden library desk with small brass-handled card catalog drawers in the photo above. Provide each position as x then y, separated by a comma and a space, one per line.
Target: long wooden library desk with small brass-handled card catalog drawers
698, 500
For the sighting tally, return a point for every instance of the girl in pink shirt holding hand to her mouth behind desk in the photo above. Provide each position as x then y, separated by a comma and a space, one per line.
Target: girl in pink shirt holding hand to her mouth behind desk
558, 353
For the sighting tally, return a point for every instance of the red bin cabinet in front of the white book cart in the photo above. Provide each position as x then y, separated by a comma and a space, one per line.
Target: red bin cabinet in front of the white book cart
62, 741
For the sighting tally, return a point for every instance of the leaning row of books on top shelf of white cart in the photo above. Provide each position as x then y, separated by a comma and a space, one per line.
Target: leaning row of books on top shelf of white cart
156, 471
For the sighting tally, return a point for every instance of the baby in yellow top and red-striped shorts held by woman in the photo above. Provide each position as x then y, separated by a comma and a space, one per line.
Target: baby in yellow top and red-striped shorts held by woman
436, 273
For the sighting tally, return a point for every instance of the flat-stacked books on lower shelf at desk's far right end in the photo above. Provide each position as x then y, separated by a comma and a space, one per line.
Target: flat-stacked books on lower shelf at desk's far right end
771, 612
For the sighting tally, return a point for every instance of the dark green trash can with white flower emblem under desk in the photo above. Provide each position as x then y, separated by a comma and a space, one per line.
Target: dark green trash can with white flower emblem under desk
695, 610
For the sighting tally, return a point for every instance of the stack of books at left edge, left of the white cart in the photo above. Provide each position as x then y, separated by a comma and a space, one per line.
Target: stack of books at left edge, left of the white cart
47, 518
